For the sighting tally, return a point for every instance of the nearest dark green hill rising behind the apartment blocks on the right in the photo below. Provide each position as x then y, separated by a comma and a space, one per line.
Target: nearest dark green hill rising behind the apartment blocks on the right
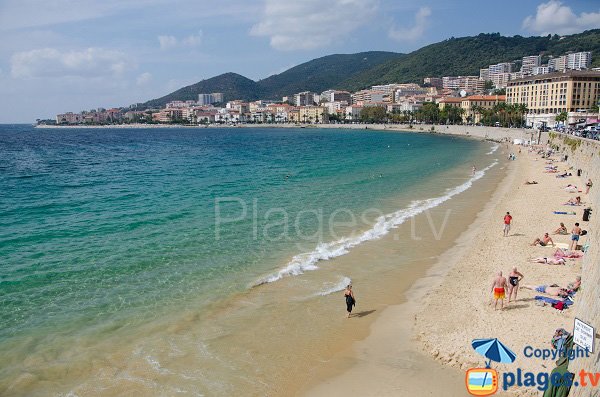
466, 55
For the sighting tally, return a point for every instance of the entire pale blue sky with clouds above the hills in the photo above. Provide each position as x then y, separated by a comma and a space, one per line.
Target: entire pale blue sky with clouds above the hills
72, 55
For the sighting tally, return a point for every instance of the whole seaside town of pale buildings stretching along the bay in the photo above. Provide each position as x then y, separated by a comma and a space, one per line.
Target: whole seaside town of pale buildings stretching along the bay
562, 94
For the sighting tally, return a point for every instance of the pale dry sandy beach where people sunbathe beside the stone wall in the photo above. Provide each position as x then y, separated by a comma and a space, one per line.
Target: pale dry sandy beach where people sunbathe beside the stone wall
451, 306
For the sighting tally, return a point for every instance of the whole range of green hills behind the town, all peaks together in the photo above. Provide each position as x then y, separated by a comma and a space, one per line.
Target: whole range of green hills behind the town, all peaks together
451, 57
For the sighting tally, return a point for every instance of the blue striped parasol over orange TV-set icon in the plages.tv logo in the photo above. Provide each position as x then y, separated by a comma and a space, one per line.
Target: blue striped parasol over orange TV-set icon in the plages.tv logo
484, 381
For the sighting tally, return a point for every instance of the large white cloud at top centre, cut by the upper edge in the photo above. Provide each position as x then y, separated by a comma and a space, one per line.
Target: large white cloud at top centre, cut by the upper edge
309, 24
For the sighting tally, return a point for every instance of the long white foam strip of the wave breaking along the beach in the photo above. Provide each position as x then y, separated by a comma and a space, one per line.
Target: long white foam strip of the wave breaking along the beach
308, 261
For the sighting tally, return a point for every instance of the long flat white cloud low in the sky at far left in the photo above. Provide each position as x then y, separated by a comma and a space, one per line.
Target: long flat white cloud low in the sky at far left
50, 62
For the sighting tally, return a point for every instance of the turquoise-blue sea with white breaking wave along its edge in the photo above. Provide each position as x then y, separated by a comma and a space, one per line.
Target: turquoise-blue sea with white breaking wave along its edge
108, 230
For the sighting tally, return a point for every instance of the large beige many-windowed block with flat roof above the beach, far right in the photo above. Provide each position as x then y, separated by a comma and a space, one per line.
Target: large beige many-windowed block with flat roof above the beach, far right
547, 95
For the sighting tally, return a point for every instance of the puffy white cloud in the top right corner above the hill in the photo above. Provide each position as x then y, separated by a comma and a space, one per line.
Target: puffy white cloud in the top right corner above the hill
554, 17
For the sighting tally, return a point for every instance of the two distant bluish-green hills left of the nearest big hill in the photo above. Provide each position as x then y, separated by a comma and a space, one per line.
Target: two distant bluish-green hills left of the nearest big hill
317, 75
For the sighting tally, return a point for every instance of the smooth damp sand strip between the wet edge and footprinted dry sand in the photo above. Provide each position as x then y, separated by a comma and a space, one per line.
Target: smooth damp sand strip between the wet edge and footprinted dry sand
391, 336
